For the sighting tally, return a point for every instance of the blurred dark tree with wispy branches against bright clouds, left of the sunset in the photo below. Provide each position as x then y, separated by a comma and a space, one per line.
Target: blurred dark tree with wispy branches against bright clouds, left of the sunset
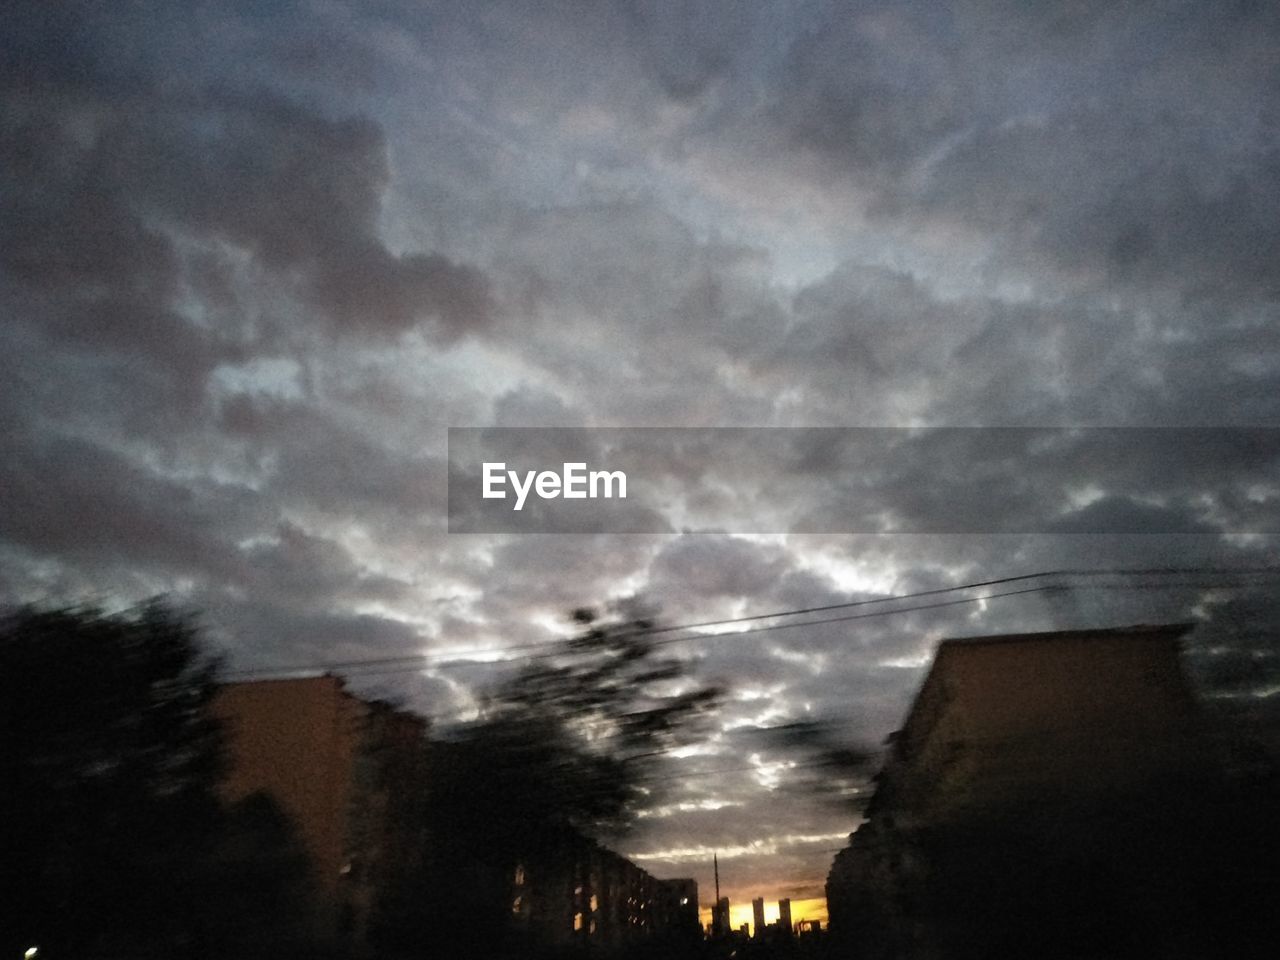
563, 749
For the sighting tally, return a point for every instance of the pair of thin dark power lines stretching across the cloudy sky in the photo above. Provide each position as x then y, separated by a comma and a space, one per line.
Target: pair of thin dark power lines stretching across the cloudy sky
377, 666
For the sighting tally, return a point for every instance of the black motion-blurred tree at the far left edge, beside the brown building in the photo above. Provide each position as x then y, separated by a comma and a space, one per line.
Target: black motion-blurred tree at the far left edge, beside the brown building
108, 769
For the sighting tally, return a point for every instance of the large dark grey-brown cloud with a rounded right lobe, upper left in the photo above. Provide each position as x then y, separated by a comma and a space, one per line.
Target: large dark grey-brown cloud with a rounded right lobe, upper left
116, 171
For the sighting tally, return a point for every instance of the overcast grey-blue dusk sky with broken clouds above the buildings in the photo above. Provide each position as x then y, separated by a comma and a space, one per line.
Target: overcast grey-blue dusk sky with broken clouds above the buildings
258, 258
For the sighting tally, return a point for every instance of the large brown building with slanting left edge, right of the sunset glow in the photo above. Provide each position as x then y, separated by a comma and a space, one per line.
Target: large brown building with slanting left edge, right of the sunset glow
1043, 792
